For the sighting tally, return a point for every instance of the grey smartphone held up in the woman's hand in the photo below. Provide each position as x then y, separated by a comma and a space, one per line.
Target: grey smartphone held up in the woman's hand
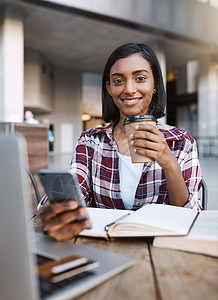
61, 185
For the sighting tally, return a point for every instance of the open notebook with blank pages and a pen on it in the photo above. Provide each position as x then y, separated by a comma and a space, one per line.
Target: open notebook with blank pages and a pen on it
148, 221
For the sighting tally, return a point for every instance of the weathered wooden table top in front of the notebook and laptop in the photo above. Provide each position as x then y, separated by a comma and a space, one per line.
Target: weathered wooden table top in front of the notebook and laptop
158, 274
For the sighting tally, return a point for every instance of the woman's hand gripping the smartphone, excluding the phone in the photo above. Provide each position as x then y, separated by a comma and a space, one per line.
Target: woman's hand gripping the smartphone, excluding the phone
61, 221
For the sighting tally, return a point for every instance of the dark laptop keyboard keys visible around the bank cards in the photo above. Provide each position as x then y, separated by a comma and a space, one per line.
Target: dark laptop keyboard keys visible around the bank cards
47, 287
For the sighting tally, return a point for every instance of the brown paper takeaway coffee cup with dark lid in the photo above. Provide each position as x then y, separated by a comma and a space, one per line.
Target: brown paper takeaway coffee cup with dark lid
130, 124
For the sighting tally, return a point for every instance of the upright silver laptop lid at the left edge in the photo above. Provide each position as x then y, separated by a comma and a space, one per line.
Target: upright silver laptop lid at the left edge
15, 257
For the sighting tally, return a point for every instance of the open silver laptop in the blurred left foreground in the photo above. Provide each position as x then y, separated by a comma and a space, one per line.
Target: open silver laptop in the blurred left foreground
20, 247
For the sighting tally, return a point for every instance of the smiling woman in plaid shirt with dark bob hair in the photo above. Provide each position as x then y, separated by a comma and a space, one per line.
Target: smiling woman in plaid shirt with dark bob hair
132, 85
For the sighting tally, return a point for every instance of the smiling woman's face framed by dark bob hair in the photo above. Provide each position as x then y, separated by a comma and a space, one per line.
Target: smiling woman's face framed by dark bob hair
131, 85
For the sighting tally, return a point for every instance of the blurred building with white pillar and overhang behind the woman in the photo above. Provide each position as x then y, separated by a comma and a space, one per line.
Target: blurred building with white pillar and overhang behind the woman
52, 54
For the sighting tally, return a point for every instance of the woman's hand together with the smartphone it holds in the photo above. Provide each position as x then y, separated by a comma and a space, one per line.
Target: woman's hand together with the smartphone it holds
65, 214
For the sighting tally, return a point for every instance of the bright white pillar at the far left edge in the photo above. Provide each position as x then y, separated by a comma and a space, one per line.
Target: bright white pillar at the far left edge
11, 64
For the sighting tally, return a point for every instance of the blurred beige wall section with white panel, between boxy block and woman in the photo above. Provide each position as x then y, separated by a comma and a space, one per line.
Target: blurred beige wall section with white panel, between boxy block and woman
66, 116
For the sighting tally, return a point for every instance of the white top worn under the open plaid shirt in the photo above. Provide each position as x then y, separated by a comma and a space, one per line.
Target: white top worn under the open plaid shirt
130, 175
